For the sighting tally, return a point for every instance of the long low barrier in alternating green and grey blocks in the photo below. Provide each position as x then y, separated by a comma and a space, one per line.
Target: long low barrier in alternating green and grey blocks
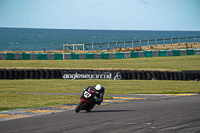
114, 55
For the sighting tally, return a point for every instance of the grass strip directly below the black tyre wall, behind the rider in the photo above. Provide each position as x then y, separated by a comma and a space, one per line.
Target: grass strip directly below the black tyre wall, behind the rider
112, 86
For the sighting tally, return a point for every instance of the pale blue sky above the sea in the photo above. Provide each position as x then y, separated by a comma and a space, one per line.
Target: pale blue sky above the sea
183, 15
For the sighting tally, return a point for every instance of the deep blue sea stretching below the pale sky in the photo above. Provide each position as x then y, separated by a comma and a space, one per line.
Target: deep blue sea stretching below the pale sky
33, 39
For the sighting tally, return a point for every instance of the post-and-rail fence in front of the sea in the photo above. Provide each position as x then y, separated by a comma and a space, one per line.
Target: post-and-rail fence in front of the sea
131, 44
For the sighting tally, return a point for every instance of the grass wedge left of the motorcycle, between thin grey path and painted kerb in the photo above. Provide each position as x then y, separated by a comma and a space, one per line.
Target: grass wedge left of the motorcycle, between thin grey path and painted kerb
17, 101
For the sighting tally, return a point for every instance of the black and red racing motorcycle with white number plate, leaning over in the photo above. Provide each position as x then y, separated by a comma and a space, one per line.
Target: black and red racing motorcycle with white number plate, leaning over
87, 102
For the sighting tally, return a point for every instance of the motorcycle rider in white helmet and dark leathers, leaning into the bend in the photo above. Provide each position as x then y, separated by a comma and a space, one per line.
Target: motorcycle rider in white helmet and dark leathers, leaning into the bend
99, 91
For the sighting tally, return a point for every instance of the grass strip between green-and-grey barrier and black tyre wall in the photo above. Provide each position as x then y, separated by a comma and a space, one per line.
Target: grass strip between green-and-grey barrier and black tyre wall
153, 63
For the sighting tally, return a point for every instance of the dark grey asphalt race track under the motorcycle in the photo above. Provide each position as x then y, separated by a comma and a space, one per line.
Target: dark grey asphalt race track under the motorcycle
176, 114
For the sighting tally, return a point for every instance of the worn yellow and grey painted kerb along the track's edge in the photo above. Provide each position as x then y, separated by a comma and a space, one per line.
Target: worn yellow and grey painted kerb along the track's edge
31, 112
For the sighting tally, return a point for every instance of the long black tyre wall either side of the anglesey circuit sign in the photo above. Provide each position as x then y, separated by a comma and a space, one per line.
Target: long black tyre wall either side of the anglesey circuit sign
125, 74
